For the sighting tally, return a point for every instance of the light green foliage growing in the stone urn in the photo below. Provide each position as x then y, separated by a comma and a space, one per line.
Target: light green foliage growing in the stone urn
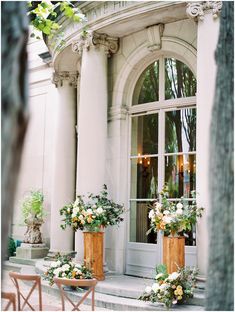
32, 205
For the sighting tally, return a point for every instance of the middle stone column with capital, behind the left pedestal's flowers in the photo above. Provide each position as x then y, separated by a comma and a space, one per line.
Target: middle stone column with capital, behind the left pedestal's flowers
92, 116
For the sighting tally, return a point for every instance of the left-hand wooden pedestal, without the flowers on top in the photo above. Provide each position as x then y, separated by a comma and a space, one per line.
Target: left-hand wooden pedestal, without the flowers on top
93, 253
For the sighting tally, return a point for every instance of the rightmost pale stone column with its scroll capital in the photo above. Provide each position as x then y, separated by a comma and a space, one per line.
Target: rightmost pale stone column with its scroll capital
206, 15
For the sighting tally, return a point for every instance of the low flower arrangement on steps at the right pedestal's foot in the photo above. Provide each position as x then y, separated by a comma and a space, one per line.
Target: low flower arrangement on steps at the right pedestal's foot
169, 289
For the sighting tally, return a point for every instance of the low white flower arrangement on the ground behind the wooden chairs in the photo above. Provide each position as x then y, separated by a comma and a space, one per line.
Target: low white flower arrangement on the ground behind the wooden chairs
65, 267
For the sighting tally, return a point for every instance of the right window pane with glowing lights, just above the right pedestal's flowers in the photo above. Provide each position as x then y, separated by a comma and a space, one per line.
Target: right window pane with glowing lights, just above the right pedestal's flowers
180, 174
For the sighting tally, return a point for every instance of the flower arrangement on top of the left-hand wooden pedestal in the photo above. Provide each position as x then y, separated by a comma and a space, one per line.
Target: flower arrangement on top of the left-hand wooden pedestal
97, 212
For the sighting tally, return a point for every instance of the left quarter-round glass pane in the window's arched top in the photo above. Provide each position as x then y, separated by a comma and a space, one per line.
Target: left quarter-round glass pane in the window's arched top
147, 87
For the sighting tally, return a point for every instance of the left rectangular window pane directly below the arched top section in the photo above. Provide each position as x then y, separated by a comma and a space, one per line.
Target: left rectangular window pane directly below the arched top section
144, 135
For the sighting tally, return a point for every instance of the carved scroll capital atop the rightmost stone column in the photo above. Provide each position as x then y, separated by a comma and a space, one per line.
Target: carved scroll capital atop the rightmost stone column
198, 9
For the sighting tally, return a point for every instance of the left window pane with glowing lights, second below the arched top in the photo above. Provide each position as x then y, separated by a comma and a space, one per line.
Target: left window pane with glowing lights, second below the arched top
144, 177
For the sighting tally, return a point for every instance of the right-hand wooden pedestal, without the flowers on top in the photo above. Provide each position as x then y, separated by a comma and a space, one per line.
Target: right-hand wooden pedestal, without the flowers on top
173, 252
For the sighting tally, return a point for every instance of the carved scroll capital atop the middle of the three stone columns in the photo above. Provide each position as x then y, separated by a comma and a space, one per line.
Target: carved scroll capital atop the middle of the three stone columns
110, 44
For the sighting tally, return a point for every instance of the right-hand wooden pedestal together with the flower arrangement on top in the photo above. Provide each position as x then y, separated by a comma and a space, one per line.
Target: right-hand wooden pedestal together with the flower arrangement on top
173, 219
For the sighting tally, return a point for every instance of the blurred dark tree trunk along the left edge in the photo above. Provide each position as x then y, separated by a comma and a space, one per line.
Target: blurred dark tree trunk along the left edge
14, 103
